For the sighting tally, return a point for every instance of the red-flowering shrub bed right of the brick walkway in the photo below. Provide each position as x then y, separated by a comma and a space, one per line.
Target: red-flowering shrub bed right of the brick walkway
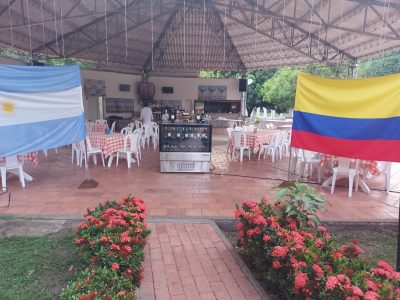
299, 257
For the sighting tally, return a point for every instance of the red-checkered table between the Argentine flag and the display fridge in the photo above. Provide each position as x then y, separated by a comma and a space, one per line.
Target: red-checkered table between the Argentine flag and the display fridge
108, 143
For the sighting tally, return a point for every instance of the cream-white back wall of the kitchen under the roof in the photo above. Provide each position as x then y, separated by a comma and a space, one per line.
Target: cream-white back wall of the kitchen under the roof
185, 89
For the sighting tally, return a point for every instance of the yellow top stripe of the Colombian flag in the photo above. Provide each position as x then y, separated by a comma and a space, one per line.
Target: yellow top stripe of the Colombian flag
368, 98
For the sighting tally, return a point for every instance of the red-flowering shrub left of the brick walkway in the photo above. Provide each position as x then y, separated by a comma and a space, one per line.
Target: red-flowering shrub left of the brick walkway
111, 242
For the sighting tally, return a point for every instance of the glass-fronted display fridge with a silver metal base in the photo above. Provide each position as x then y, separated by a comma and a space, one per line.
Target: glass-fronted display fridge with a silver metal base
185, 147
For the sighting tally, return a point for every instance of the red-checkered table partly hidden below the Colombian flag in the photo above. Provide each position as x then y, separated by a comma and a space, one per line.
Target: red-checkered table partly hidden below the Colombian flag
365, 166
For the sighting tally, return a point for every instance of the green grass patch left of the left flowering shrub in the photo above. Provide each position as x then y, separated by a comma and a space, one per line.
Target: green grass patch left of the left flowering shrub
36, 267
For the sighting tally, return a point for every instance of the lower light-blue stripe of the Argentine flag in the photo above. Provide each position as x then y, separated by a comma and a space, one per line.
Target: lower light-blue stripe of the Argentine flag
30, 137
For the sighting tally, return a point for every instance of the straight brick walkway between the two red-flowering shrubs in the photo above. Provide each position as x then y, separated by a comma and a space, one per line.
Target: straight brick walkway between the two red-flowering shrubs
191, 261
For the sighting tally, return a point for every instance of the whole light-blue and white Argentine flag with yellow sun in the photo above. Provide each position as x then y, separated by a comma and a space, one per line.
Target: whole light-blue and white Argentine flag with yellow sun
40, 108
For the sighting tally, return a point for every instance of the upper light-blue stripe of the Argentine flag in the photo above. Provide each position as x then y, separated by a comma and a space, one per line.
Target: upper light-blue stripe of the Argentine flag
32, 79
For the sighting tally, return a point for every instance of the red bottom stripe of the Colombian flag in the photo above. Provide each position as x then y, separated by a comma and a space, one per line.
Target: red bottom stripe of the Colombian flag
384, 150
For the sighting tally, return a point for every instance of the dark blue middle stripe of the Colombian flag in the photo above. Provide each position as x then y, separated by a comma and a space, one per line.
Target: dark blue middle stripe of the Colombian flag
348, 128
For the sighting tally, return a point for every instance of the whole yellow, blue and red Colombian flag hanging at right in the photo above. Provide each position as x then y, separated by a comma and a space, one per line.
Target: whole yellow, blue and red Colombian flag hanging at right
357, 118
